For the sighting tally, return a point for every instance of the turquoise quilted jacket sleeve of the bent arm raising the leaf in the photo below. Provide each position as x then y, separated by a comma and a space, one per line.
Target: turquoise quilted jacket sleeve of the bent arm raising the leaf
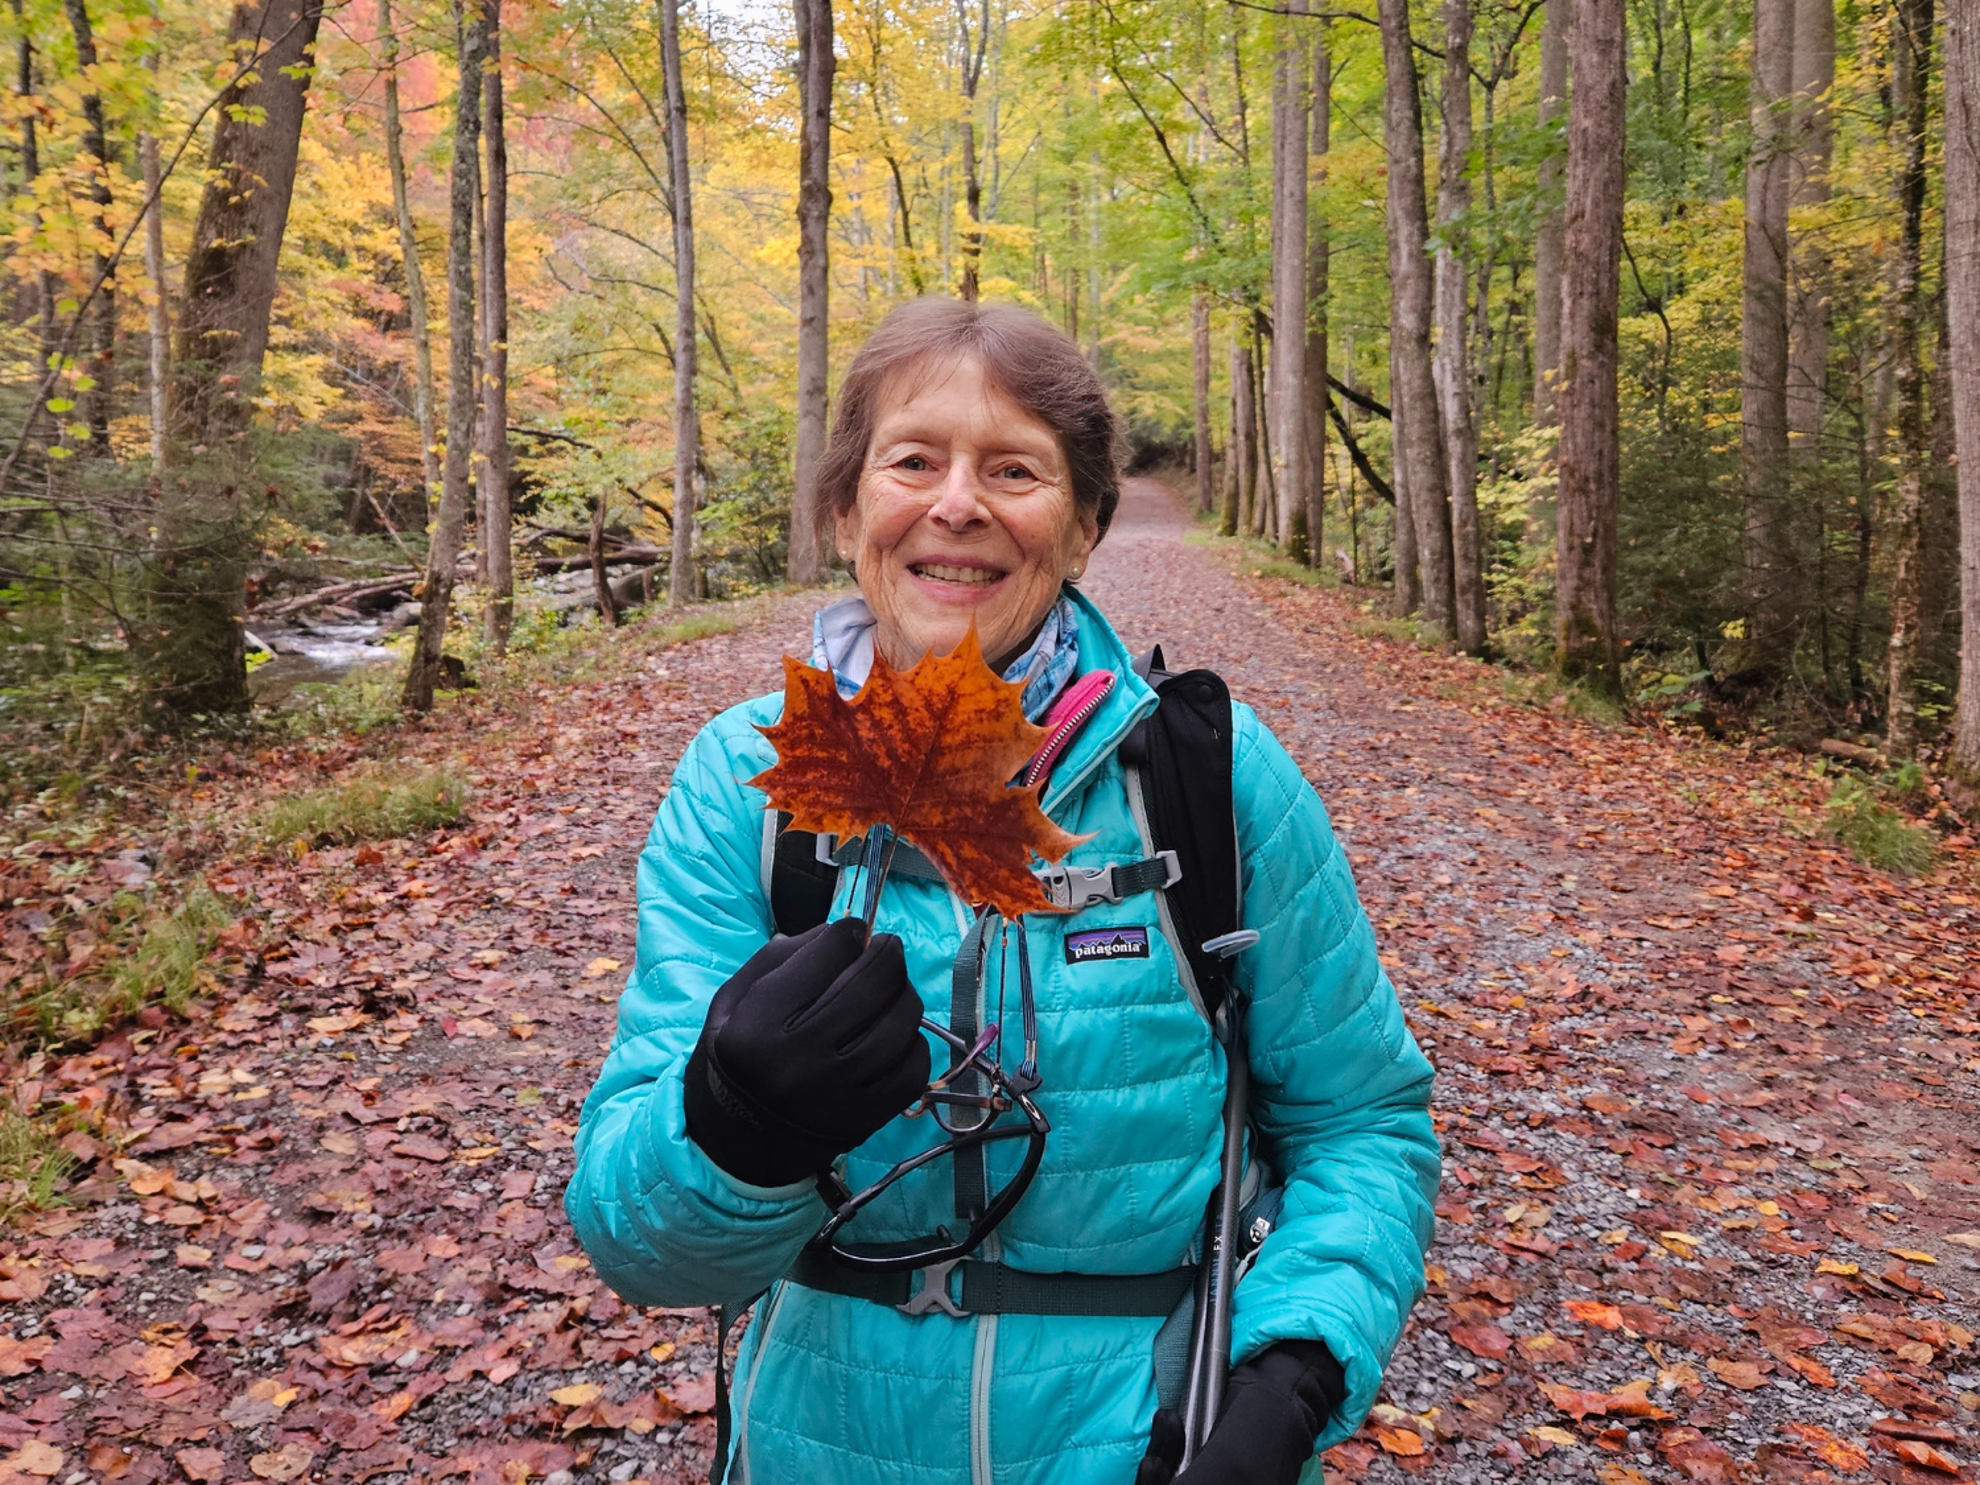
660, 1221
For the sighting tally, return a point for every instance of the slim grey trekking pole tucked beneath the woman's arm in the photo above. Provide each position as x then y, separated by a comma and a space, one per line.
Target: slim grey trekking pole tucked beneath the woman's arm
1211, 1330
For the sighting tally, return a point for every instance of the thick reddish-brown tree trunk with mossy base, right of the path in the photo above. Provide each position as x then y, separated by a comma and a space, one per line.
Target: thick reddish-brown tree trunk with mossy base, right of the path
1591, 452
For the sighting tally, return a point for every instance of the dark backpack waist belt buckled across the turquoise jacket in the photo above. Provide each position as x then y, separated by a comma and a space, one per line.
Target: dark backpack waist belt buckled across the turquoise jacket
997, 1290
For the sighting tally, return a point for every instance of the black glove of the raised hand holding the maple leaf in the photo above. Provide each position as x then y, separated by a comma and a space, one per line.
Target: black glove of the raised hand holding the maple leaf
807, 1052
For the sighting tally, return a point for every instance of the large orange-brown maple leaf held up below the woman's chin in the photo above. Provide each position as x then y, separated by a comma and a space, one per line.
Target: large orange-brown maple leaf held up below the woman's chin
928, 751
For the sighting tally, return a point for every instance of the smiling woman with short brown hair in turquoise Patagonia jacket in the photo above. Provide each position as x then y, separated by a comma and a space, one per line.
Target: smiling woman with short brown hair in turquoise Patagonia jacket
973, 470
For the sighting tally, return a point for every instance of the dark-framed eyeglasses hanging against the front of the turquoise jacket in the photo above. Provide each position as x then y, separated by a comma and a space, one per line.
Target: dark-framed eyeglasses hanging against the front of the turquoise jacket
969, 1104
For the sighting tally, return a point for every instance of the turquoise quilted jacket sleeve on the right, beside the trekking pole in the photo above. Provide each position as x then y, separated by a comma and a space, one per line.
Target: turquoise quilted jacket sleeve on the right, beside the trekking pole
1341, 1092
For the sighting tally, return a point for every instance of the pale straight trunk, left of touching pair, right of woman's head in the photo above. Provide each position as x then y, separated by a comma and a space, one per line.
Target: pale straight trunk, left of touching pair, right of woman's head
1288, 415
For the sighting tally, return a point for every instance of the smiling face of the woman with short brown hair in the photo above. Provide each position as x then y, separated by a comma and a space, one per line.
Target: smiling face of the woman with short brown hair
965, 512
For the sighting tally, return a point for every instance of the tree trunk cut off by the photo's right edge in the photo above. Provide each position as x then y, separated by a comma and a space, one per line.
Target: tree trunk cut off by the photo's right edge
1963, 326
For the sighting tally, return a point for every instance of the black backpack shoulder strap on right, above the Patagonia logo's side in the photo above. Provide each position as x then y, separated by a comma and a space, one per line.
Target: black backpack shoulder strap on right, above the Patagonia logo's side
1183, 755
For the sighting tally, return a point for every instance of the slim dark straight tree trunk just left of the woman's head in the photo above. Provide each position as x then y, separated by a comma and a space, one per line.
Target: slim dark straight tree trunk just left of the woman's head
815, 286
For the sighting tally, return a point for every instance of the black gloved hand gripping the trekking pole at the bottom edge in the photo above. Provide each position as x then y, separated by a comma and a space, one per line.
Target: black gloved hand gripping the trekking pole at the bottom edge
1274, 1411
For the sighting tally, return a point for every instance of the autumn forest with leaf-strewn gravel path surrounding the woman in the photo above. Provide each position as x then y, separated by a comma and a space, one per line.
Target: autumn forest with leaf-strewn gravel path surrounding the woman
1557, 419
